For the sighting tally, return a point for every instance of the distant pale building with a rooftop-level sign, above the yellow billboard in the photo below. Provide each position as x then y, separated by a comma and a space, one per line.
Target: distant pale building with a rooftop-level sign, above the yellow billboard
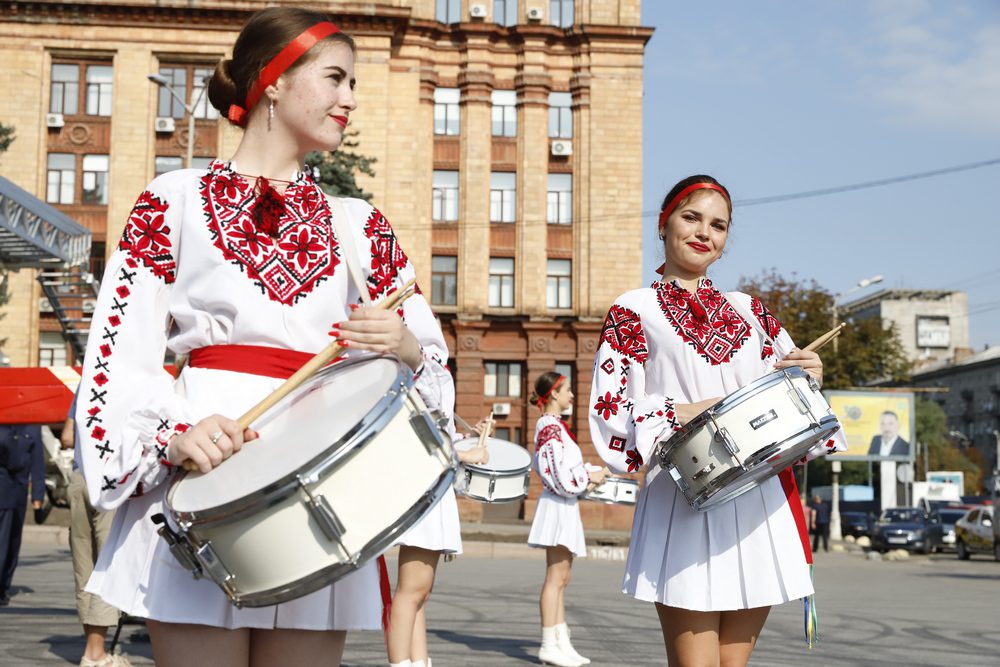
932, 324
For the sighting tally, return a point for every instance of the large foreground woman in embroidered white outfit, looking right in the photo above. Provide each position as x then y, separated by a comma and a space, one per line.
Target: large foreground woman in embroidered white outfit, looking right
241, 258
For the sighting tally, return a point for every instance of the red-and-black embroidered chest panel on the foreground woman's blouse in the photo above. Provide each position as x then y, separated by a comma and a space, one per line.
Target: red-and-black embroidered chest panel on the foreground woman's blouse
288, 266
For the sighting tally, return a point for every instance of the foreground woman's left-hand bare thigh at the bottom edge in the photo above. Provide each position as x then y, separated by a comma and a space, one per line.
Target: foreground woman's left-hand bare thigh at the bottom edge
186, 645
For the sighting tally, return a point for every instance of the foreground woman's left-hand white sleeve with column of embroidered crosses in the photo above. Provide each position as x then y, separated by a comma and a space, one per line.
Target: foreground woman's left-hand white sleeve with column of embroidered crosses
127, 409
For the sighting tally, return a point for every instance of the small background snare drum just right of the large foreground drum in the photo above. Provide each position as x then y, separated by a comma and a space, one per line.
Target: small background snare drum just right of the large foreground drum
503, 479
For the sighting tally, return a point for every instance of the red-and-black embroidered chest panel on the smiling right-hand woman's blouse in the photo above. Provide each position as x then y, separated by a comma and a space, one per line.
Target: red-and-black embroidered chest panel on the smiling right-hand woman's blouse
706, 321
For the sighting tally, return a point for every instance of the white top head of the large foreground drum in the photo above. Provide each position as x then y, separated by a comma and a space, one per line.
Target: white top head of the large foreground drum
304, 425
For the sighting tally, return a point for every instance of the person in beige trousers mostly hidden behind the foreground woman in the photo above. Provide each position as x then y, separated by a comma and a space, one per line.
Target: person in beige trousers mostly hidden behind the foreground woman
88, 530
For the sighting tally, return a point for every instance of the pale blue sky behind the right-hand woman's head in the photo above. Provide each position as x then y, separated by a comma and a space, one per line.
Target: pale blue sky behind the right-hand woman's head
776, 97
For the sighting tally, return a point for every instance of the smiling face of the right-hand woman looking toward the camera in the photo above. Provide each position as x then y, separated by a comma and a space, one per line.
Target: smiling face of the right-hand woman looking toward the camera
696, 232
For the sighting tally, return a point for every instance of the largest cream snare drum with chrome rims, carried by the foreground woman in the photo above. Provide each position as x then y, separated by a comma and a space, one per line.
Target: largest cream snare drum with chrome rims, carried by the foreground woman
345, 464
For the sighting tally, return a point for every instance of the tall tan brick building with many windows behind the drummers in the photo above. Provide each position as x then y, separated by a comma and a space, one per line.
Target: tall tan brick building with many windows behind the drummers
508, 140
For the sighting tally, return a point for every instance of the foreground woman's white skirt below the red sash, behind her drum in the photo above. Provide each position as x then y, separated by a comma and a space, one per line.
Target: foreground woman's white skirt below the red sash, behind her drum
137, 573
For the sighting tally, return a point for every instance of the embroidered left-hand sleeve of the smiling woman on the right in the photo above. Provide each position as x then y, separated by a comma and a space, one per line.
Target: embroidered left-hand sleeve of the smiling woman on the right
626, 421
